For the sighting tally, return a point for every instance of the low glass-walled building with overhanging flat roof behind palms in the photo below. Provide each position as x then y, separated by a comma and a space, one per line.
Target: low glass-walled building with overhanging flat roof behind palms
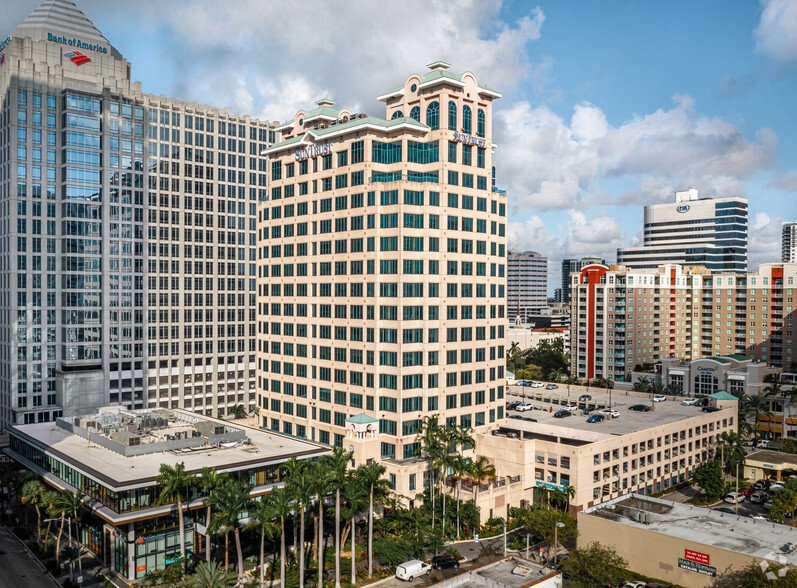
114, 457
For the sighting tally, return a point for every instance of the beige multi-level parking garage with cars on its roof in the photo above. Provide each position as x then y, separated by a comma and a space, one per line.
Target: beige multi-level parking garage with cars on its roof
638, 451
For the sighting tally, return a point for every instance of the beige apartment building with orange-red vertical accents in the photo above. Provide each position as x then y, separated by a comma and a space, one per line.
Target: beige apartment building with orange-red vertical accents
624, 317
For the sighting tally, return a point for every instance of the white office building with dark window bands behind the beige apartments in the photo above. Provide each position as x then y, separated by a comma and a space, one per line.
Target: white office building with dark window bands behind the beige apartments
711, 232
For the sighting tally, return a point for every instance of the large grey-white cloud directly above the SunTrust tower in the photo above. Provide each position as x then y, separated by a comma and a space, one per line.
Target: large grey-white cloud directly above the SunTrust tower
289, 53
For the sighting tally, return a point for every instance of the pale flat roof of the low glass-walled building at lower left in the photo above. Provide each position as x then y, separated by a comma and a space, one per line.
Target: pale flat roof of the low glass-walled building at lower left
119, 472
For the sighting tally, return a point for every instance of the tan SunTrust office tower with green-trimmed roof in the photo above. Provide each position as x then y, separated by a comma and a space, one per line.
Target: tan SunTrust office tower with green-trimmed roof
382, 272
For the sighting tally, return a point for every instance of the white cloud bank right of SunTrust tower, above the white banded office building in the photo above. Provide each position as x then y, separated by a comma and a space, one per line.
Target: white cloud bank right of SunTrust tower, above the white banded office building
549, 163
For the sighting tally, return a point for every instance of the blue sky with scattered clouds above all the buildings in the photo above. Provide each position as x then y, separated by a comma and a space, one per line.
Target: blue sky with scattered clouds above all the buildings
607, 106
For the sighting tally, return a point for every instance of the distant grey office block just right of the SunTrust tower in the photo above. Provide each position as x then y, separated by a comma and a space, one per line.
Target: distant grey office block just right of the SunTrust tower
527, 284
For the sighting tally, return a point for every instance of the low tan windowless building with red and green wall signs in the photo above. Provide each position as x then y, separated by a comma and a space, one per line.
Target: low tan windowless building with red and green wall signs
692, 544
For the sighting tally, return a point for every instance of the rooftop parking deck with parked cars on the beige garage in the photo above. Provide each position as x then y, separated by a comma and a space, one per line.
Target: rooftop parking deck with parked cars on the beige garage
629, 421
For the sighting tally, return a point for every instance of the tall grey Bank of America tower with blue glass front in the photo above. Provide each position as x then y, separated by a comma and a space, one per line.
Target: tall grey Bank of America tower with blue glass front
128, 234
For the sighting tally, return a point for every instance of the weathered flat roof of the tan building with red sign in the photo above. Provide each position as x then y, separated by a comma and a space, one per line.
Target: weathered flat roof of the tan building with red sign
741, 534
